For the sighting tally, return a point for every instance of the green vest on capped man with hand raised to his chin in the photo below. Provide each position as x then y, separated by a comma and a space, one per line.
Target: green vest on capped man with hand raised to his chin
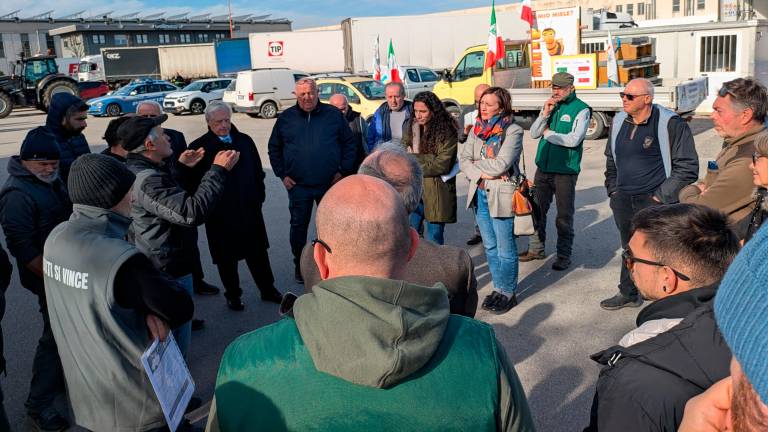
551, 158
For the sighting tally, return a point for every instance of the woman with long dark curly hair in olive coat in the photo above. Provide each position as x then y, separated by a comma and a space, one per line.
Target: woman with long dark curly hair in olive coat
432, 136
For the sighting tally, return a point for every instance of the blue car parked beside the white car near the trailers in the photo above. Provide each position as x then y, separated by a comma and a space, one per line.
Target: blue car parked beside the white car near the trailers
125, 99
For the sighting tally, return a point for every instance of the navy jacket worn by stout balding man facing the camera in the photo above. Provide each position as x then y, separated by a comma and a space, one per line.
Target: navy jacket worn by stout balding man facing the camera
311, 147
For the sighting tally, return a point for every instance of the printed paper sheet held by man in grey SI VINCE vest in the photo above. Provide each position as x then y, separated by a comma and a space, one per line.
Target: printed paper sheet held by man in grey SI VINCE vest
170, 377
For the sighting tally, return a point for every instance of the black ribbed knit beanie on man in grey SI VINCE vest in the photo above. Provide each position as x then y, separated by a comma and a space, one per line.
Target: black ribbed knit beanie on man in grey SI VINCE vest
98, 180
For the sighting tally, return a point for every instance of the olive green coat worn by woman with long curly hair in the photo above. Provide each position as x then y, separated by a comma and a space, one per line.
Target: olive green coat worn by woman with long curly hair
439, 197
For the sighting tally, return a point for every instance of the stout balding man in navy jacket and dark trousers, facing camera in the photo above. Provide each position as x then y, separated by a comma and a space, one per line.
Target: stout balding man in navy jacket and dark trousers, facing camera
311, 147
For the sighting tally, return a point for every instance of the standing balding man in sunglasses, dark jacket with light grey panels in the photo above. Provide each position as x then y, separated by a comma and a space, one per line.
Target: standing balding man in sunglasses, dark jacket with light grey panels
650, 157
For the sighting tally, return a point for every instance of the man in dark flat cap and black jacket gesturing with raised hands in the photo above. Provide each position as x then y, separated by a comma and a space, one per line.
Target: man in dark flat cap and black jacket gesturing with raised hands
162, 211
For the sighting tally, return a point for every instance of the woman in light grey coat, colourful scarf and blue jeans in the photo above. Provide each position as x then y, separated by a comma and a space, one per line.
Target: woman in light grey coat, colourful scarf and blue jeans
490, 159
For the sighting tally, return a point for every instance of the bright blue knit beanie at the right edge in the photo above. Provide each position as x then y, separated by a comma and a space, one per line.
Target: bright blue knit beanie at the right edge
741, 310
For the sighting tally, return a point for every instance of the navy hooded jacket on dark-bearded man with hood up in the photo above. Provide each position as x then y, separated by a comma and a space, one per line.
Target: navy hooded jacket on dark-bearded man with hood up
70, 146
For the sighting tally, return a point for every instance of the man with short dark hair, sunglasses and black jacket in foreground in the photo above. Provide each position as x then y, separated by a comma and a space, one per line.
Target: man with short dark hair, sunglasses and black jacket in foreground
677, 255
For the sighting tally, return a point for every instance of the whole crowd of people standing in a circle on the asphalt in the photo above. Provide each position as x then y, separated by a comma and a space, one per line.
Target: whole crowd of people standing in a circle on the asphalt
108, 244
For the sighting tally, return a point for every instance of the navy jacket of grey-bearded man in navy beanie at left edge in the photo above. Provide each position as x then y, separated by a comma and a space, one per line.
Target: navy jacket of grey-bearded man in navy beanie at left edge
29, 210
